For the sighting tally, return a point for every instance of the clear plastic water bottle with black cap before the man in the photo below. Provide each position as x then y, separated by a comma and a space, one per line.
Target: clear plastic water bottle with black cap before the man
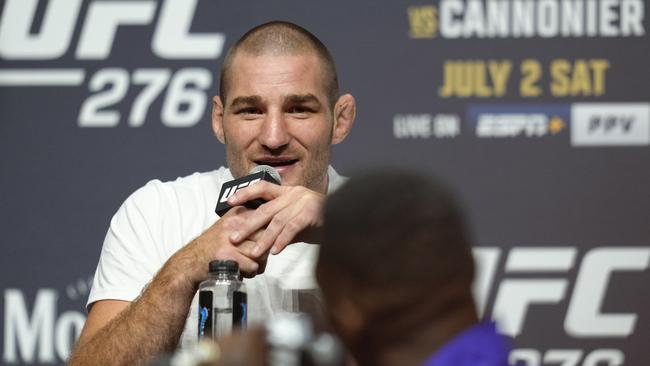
222, 301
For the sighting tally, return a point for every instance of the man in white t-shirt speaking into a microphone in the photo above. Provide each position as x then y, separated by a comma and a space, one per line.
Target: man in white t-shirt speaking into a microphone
279, 106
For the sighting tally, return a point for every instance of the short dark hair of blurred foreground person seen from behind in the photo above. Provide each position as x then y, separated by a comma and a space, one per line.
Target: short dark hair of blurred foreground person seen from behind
395, 229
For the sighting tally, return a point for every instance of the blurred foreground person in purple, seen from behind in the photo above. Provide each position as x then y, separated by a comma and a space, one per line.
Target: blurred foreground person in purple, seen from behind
396, 270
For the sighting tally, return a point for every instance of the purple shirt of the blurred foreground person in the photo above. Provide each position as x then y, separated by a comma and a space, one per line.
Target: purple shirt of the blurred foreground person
479, 345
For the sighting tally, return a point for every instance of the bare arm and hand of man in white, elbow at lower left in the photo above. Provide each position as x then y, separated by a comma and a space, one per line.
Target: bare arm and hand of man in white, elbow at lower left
123, 333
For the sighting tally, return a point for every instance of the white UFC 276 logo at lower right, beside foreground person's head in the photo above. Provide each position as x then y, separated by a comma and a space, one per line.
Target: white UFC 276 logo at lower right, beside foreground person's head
532, 280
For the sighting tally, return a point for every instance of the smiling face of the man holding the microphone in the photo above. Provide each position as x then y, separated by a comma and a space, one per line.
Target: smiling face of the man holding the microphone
277, 114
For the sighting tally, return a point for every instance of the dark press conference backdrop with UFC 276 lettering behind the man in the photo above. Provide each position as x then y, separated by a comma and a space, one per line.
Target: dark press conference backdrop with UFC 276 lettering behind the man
536, 112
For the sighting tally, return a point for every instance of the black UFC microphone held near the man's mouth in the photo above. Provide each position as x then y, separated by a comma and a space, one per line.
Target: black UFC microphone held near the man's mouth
260, 172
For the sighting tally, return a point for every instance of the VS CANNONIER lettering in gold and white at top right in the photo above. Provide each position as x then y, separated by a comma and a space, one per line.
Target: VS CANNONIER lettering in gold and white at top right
453, 19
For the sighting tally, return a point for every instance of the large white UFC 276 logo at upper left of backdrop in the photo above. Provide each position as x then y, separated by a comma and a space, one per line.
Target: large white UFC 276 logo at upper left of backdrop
183, 91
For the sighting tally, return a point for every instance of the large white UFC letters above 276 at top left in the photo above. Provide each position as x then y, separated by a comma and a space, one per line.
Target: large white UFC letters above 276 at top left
171, 38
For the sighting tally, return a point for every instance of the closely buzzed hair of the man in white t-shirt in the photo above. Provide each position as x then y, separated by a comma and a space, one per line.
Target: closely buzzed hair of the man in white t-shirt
281, 38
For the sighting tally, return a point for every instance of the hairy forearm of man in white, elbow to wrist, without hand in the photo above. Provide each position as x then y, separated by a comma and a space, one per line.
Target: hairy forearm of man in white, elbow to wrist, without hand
149, 326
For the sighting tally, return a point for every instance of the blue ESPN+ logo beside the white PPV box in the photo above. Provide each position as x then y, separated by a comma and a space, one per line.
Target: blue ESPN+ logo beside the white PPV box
510, 121
